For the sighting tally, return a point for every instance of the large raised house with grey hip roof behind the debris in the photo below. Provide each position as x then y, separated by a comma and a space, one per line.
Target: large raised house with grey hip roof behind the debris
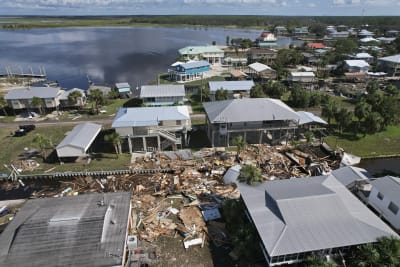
258, 120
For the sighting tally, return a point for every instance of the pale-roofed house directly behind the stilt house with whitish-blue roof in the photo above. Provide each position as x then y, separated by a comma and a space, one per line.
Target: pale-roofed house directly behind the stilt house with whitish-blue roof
162, 95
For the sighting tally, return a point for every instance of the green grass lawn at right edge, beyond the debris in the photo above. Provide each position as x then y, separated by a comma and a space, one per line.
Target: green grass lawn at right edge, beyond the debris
383, 143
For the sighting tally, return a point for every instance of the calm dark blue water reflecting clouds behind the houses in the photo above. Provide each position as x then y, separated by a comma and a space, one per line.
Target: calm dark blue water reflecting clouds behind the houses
105, 55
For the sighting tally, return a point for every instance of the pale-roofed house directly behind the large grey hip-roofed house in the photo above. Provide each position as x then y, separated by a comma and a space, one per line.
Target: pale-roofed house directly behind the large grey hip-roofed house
236, 89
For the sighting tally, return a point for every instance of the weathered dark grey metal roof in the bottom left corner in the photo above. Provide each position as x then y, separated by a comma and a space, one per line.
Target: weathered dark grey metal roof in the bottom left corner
68, 231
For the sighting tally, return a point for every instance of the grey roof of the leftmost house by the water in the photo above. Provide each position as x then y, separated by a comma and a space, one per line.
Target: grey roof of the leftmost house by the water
30, 92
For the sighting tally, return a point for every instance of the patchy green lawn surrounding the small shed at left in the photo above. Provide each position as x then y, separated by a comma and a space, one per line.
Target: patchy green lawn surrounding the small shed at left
12, 148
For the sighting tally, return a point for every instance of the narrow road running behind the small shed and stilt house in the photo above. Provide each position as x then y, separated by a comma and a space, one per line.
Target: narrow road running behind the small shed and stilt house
104, 121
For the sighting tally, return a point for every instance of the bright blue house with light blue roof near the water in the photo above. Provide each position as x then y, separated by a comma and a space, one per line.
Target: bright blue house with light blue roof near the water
185, 72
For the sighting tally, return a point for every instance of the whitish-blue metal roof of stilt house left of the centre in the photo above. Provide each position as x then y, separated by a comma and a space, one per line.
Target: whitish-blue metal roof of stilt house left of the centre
149, 116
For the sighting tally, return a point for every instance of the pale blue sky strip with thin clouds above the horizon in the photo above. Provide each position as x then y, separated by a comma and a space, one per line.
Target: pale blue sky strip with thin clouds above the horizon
234, 7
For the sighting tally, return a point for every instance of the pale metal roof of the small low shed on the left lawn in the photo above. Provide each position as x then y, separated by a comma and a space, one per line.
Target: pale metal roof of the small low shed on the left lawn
81, 136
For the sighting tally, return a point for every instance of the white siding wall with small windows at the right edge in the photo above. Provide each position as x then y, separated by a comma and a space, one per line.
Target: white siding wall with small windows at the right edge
382, 207
